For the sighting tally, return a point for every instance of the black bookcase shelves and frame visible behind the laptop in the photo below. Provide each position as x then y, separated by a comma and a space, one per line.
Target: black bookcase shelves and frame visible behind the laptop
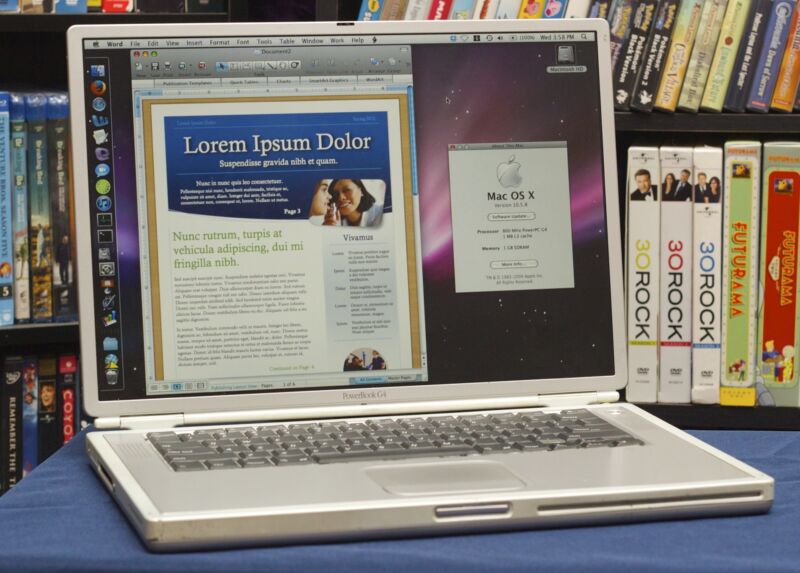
41, 63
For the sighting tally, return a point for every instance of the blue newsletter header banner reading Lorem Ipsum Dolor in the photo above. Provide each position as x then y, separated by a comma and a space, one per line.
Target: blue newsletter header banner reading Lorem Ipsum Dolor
268, 166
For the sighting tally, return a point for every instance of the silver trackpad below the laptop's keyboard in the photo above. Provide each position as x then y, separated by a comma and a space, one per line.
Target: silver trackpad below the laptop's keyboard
445, 477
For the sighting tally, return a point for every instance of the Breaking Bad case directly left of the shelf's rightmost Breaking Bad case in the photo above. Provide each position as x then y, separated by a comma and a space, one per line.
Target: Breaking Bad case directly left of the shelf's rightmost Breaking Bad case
40, 229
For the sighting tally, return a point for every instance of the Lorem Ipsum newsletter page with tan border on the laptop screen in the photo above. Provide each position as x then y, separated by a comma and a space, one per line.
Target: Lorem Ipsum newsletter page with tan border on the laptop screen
280, 237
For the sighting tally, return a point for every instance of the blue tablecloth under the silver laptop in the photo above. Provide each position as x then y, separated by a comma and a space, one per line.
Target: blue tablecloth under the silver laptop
61, 519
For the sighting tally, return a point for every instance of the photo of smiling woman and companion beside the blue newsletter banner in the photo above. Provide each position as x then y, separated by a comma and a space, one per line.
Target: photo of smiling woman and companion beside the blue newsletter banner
348, 203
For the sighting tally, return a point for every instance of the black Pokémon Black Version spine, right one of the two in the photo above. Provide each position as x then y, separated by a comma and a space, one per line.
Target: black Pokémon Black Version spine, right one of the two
658, 42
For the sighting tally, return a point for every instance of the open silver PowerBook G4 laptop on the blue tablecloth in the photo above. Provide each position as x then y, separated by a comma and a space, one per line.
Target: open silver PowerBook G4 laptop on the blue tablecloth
353, 280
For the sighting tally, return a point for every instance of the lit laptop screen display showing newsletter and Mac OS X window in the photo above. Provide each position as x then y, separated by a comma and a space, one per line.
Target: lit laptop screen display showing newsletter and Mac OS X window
284, 213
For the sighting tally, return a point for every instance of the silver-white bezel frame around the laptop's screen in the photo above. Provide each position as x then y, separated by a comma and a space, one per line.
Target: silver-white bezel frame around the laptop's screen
424, 392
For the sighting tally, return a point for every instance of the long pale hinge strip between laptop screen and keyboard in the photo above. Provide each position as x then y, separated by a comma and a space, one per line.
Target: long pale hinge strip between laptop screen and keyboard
506, 403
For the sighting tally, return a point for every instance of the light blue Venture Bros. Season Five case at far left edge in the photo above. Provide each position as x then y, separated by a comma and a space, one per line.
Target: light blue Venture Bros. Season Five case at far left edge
6, 239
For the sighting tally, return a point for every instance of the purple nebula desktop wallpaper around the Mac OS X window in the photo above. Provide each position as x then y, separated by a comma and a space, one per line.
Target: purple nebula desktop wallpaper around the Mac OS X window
496, 93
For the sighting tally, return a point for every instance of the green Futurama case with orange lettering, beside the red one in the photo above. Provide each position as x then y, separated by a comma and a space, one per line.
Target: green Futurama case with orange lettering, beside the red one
739, 272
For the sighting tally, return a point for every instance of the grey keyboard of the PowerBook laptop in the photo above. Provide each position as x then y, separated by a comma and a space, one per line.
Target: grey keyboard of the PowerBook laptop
379, 439
